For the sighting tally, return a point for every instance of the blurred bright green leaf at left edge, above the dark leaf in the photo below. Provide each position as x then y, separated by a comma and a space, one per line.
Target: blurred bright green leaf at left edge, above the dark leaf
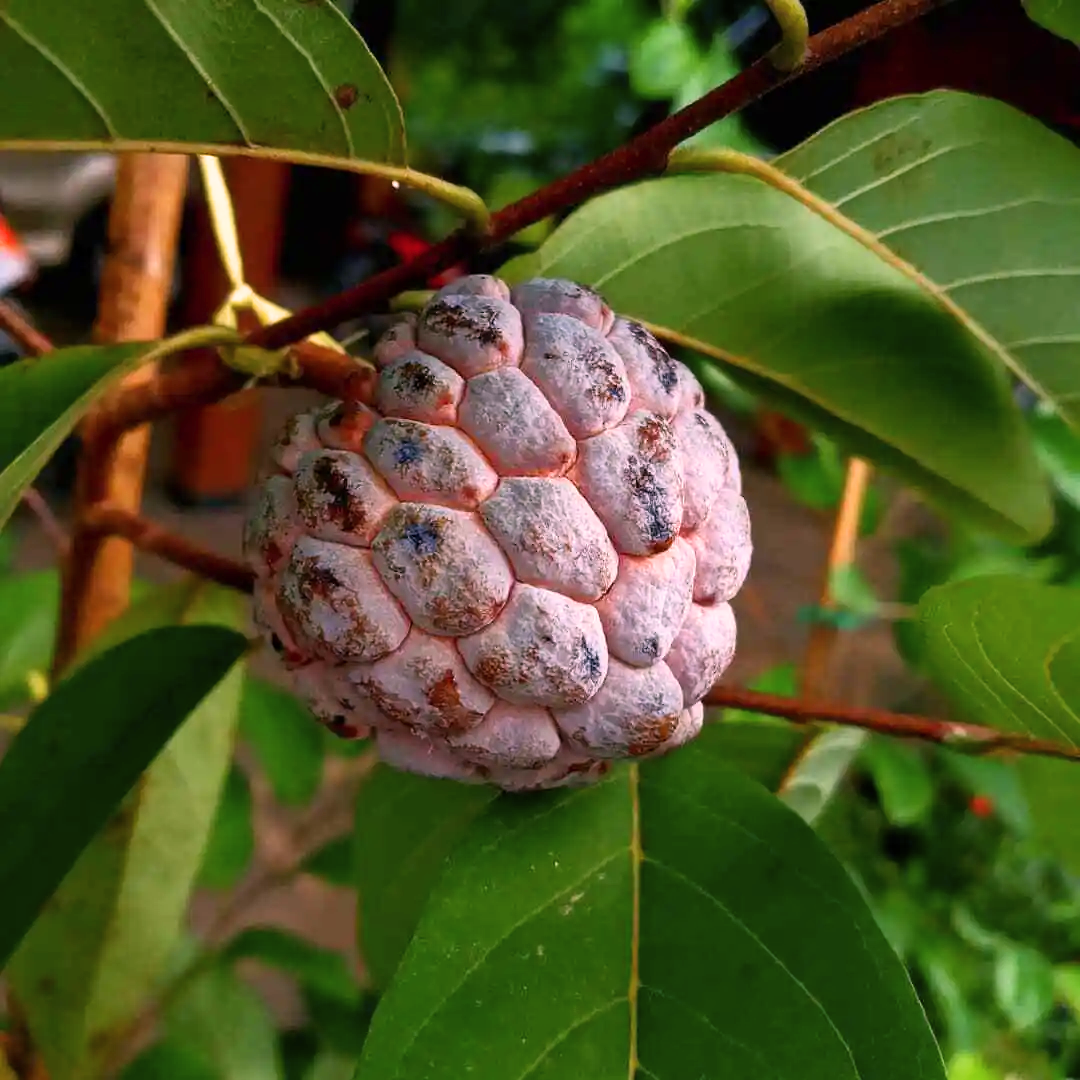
29, 607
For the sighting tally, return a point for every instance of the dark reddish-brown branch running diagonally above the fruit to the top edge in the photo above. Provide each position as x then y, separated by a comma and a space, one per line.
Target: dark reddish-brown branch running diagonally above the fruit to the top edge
642, 157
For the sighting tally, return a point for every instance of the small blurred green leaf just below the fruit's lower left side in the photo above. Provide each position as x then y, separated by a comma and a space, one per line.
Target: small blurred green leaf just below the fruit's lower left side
287, 741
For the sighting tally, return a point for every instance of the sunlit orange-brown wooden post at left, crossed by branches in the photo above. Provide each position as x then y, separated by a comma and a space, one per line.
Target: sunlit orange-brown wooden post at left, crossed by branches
144, 224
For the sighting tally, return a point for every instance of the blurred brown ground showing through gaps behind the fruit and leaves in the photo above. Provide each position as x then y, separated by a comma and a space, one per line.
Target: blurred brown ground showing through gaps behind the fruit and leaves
791, 547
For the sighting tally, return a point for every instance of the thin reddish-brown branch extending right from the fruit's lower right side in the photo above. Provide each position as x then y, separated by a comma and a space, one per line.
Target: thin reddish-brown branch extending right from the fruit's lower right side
964, 737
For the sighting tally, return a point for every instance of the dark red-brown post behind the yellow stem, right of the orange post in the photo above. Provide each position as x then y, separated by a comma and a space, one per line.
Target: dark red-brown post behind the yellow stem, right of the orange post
214, 448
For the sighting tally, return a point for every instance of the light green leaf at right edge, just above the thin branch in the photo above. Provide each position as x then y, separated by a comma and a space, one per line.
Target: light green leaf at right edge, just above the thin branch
1005, 650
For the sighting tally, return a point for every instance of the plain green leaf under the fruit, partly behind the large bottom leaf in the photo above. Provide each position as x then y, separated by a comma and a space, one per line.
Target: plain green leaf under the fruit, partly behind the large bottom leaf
407, 826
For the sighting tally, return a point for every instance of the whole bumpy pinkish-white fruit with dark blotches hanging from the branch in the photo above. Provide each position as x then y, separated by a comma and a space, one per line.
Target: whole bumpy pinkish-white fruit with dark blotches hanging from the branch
517, 568
